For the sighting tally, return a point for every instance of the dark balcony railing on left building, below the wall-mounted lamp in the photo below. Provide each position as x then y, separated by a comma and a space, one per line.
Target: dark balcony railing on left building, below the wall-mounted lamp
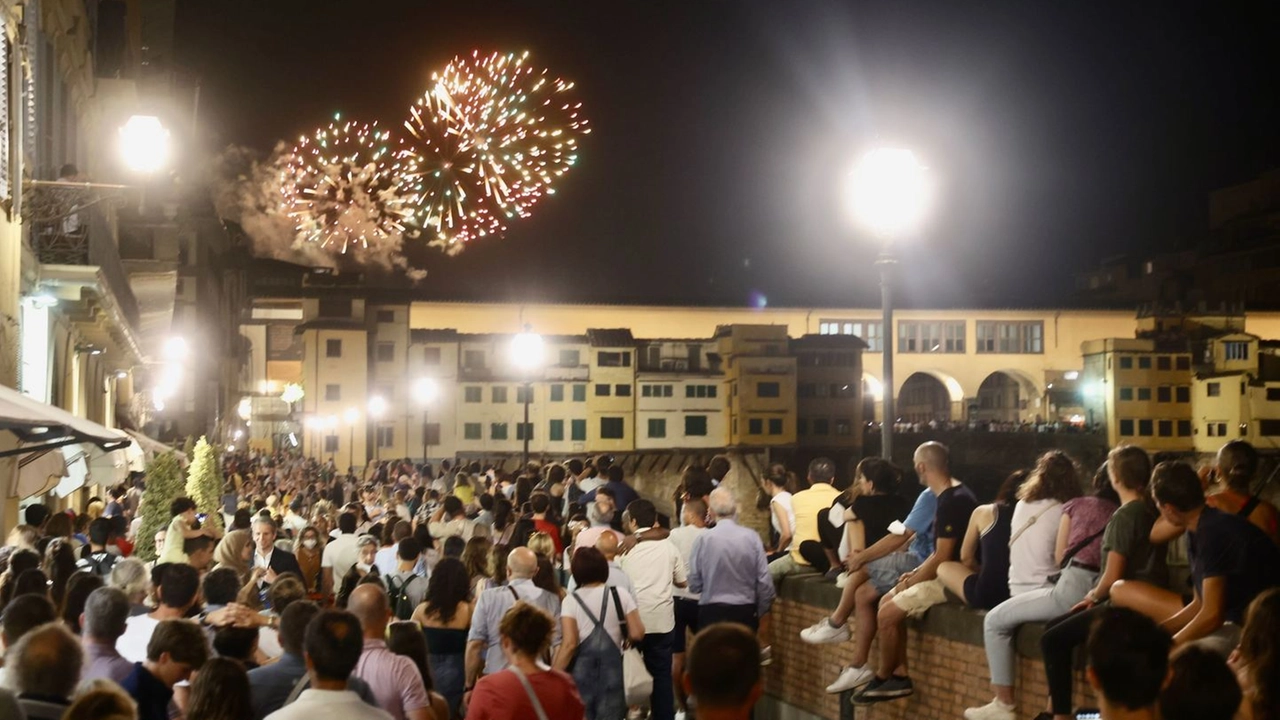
75, 225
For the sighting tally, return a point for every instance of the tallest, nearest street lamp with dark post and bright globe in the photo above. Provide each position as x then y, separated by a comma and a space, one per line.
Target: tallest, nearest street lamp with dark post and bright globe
889, 197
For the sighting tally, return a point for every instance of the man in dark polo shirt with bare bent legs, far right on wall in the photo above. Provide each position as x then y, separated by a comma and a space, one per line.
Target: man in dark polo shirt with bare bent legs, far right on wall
1232, 563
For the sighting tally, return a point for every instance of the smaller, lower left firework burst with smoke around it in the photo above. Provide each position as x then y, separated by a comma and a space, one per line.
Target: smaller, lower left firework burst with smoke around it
340, 188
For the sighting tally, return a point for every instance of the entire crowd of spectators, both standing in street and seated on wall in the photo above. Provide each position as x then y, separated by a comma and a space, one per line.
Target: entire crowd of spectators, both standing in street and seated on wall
559, 593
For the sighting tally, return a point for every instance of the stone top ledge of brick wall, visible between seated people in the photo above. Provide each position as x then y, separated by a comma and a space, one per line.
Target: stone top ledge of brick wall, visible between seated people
952, 622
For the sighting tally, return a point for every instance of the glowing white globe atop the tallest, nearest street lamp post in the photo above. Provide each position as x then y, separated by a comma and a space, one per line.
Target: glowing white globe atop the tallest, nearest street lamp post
890, 192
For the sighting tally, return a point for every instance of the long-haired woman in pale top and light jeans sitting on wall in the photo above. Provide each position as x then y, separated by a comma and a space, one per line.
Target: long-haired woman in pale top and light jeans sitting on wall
1035, 554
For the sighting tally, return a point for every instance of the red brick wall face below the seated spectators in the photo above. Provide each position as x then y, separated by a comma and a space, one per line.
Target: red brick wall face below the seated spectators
945, 657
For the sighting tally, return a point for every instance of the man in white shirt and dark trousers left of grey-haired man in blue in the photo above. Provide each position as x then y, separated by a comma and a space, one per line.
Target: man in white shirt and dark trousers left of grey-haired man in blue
656, 571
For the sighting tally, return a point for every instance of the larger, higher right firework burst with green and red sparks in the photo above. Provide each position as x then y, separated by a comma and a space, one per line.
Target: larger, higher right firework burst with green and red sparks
487, 142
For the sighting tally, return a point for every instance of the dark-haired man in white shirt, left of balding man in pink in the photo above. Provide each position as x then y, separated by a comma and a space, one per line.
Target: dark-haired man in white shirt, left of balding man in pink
332, 649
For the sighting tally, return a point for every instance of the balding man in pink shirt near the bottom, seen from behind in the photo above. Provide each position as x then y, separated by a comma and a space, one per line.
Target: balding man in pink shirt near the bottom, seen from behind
395, 680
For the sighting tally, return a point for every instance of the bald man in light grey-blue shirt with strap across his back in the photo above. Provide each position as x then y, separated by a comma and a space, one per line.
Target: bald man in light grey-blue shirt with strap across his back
484, 645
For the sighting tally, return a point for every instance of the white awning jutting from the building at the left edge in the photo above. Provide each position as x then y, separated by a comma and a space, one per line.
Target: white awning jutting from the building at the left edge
44, 427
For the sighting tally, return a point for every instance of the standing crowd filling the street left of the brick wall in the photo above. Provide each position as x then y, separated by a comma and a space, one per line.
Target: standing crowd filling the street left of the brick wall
400, 591
